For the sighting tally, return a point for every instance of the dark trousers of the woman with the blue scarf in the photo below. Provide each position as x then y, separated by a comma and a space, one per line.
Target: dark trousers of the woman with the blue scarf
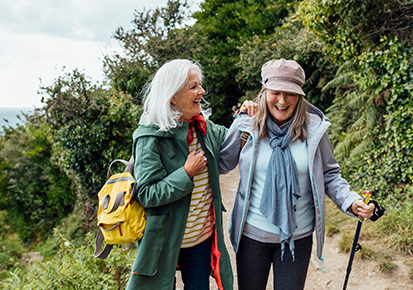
254, 262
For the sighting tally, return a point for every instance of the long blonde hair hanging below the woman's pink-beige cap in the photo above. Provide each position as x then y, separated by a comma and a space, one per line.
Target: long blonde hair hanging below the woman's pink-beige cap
298, 128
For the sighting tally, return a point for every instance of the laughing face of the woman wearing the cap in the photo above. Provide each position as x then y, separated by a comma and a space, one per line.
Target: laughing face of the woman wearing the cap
281, 105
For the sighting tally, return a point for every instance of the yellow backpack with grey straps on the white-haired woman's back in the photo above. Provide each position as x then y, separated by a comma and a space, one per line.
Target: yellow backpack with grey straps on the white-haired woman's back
121, 218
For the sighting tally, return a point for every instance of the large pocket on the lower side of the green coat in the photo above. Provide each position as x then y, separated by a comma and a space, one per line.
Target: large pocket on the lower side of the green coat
151, 246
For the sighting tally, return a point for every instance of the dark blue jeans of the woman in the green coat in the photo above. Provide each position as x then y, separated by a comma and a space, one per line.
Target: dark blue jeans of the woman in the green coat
194, 264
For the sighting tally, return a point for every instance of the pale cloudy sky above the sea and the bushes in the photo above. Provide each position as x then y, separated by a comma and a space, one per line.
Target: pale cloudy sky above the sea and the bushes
39, 38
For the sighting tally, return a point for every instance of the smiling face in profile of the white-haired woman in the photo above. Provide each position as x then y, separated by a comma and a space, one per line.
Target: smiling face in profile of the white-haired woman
188, 99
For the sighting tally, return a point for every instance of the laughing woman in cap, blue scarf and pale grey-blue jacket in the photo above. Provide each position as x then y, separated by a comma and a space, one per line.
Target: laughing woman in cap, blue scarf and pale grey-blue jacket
287, 167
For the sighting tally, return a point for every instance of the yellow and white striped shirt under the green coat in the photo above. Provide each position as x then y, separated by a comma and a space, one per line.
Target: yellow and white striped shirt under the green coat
199, 223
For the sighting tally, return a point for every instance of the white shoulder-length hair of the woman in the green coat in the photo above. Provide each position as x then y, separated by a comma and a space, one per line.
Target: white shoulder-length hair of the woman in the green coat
167, 82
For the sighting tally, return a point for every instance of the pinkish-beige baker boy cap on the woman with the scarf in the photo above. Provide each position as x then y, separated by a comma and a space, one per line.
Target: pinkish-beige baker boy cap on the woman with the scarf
283, 75
